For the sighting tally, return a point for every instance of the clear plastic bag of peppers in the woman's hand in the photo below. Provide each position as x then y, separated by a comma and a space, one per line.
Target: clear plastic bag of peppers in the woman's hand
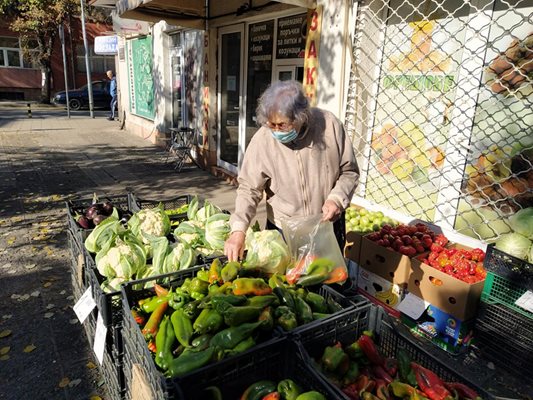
313, 246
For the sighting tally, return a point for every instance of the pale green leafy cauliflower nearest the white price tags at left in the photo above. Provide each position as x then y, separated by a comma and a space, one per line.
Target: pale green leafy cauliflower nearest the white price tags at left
121, 258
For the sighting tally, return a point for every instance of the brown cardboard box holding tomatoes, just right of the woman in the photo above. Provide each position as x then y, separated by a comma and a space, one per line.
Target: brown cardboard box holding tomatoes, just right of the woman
388, 264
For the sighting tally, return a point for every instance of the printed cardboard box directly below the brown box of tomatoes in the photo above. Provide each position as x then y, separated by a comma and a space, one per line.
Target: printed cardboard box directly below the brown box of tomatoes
380, 288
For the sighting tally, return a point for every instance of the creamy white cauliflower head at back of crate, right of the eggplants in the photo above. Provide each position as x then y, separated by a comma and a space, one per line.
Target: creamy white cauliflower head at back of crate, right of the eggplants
150, 221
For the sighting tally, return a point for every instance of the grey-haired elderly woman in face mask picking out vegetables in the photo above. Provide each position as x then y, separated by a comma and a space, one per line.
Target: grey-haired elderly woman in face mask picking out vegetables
300, 157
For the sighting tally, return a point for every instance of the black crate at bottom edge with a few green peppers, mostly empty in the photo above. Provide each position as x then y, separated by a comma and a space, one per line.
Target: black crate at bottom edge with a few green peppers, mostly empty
260, 370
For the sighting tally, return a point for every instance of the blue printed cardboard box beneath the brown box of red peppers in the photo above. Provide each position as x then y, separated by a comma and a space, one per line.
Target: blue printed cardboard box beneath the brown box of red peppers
441, 328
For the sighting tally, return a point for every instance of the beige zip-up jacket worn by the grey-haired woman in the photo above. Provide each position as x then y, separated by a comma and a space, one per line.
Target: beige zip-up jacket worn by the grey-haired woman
298, 177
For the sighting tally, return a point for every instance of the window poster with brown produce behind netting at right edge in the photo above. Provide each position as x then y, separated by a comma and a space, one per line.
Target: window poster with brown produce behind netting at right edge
499, 171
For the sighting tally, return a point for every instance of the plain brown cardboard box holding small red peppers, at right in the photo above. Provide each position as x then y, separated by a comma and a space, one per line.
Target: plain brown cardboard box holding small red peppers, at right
449, 294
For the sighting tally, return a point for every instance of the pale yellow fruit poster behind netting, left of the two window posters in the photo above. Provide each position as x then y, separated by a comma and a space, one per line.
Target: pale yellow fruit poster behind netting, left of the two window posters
417, 87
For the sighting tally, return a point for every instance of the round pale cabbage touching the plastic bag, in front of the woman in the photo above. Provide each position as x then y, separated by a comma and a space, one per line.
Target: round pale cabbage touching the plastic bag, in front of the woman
267, 251
